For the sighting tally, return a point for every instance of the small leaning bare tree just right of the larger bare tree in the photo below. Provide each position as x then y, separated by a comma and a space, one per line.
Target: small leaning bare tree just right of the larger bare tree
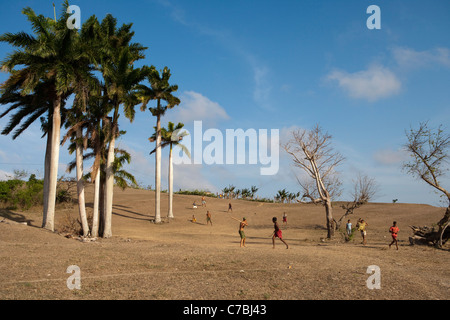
364, 190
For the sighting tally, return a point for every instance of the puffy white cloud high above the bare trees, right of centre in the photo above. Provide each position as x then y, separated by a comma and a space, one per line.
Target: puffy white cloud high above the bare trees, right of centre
375, 83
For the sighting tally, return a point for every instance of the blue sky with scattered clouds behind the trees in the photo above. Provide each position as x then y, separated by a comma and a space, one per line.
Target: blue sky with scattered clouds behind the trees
278, 65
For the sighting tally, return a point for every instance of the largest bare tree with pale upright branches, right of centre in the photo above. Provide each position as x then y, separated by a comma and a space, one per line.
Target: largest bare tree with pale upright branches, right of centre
311, 151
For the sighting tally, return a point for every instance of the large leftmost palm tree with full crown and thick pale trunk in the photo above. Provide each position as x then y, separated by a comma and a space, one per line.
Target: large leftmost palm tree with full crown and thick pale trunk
52, 55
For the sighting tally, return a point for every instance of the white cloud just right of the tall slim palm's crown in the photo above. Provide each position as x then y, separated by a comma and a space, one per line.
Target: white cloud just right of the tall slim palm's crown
195, 106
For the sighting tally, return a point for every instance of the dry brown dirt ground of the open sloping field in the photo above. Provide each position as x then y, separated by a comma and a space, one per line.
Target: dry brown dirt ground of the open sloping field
182, 260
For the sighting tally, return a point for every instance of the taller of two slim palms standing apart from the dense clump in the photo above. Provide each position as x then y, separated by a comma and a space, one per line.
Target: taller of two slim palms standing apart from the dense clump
159, 89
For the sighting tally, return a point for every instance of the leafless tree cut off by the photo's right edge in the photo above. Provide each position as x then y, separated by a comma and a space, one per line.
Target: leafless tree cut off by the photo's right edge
429, 151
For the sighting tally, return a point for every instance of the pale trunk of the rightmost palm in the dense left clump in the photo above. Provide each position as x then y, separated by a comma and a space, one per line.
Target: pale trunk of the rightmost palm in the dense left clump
107, 233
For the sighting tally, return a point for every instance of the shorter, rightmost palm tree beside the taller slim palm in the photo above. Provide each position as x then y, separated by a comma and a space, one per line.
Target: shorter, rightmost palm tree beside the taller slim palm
171, 137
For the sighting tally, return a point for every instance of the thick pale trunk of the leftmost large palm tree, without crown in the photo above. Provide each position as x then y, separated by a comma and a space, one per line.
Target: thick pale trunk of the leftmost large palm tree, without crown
49, 216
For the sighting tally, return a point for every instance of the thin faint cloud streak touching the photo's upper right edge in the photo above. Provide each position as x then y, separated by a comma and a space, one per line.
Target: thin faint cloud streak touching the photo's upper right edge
410, 58
